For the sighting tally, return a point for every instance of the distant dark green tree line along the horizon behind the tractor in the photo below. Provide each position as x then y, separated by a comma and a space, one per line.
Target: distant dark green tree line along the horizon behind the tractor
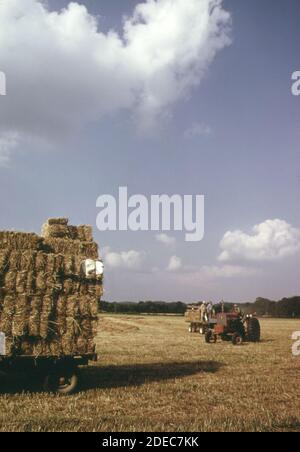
287, 307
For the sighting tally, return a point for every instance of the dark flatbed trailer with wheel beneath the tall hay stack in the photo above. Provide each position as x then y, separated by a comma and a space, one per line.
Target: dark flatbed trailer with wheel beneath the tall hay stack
58, 375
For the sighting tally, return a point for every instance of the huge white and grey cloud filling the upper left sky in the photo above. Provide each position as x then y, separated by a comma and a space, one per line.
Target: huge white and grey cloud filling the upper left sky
63, 71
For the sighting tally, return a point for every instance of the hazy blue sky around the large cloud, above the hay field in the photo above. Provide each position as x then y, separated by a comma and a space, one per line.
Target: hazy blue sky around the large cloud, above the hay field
246, 162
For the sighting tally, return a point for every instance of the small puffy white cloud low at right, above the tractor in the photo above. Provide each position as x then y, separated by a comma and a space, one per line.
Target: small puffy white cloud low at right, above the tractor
271, 240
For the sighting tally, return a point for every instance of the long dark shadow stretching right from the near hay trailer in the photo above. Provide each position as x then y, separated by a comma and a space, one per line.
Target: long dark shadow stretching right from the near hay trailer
140, 374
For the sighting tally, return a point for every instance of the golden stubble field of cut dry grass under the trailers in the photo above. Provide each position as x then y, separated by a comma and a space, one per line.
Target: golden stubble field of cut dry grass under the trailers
155, 376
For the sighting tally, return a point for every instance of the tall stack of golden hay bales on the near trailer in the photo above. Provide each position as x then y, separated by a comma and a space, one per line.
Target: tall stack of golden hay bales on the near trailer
48, 307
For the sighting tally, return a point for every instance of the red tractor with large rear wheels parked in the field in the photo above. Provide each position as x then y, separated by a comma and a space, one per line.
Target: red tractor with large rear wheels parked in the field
235, 328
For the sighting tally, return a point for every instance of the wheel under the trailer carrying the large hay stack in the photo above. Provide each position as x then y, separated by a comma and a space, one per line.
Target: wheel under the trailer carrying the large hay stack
64, 382
